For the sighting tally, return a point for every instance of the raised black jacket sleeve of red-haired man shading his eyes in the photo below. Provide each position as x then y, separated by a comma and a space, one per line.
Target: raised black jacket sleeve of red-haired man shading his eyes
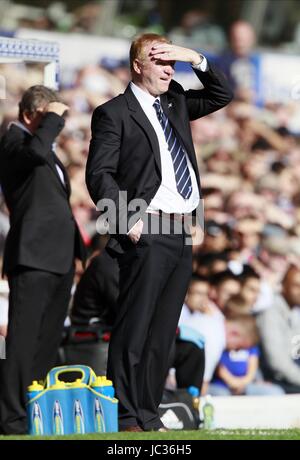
215, 94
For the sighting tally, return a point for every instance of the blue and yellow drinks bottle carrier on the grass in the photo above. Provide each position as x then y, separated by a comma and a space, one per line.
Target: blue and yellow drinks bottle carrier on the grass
87, 405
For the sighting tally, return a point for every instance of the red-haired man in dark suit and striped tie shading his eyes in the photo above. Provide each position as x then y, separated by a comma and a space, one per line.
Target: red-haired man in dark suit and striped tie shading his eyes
142, 144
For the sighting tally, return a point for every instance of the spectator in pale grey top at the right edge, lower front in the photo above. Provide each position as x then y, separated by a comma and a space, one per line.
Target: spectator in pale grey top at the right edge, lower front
279, 329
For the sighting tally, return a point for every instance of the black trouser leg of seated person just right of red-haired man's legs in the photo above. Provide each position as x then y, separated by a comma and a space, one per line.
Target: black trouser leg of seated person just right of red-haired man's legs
189, 363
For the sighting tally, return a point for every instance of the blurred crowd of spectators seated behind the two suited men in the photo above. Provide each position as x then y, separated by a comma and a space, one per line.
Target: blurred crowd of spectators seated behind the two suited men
248, 266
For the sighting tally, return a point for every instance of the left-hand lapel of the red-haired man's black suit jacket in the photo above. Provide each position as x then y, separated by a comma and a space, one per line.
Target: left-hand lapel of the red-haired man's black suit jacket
137, 113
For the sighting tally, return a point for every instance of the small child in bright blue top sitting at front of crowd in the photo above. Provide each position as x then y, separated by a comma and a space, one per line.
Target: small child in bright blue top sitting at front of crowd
236, 372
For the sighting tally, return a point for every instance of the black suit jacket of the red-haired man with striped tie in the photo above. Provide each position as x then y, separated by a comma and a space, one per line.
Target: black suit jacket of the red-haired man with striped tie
124, 151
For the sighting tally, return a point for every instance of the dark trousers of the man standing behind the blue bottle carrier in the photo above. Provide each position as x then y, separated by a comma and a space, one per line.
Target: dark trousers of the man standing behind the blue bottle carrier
38, 303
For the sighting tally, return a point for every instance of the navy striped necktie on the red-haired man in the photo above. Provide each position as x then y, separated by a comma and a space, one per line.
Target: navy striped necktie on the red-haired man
181, 169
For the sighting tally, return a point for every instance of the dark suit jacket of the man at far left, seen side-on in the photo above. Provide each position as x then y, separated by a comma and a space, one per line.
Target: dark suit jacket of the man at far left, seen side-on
43, 233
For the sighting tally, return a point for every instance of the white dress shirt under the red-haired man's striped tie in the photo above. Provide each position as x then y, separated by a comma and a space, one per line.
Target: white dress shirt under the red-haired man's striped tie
167, 197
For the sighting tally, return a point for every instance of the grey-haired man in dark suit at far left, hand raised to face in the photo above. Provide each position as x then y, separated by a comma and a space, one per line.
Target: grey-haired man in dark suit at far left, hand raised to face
41, 245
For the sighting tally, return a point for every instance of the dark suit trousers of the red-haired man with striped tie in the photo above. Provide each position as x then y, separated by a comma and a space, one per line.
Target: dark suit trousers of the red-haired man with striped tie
154, 276
